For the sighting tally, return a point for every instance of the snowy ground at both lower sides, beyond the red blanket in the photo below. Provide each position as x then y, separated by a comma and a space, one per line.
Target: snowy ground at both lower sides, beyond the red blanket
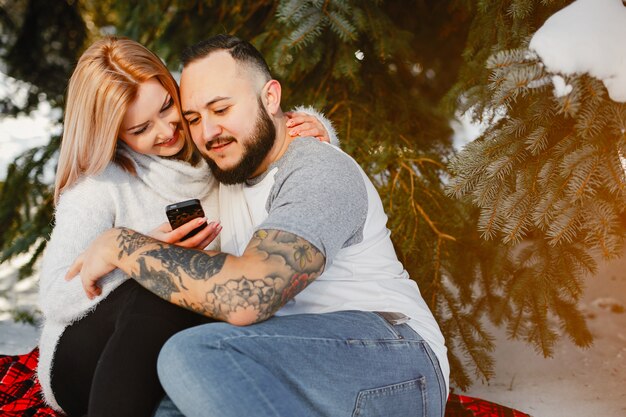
574, 383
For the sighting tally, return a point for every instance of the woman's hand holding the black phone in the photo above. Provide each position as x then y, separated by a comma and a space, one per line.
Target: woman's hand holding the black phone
200, 240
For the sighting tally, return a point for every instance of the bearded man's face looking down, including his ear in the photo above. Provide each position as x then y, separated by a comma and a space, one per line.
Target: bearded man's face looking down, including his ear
228, 122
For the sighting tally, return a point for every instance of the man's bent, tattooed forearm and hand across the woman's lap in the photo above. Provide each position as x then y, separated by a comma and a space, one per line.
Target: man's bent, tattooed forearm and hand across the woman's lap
275, 266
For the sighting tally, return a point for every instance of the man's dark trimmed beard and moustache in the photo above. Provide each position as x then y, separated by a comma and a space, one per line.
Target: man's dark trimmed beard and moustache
255, 149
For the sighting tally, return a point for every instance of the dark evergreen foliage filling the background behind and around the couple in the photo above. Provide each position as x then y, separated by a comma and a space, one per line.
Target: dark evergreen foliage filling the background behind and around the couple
389, 74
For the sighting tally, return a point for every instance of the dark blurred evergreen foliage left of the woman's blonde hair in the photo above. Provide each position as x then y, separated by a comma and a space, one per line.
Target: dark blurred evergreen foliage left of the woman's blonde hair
41, 41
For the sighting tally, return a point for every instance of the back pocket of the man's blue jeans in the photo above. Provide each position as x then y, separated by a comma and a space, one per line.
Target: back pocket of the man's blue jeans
405, 399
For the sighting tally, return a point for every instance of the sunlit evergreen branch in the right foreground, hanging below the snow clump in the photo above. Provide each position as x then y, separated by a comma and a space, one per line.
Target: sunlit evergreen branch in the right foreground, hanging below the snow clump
548, 178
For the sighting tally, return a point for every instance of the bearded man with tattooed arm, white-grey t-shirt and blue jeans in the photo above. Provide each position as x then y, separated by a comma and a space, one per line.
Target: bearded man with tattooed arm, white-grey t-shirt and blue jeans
320, 318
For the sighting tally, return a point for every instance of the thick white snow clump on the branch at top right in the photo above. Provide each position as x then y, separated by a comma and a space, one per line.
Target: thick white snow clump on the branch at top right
588, 36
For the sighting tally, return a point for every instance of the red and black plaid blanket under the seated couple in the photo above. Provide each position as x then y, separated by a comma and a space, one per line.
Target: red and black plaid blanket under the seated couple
20, 394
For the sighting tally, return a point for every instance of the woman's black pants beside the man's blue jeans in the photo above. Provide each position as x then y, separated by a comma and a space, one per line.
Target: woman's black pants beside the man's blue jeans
105, 364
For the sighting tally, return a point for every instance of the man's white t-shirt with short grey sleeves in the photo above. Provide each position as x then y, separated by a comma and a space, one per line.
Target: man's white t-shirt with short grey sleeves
320, 194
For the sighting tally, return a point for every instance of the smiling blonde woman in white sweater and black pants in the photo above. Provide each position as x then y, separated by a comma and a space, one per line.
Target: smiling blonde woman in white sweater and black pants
125, 155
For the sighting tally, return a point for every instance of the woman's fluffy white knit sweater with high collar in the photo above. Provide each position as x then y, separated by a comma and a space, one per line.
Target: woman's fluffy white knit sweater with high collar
113, 198
